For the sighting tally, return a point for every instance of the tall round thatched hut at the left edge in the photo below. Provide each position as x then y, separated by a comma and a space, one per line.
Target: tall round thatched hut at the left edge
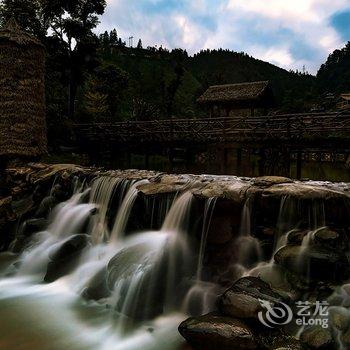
22, 94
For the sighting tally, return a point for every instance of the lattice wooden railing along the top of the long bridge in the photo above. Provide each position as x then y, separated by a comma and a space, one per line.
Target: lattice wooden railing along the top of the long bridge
281, 126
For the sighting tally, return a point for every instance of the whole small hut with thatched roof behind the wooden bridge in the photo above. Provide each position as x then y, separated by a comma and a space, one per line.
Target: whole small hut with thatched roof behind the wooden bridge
244, 99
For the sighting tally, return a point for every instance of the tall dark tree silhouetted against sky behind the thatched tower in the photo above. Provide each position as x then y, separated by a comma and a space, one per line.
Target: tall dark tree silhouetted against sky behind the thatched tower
66, 25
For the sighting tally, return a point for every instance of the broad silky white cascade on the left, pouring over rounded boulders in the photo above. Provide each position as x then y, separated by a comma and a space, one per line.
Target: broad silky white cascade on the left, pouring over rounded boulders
141, 273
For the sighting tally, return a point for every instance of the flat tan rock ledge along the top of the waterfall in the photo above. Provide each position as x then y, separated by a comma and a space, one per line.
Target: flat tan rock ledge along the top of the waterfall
228, 187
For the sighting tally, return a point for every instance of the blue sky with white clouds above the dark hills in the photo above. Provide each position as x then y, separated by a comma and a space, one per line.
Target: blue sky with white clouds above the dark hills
288, 33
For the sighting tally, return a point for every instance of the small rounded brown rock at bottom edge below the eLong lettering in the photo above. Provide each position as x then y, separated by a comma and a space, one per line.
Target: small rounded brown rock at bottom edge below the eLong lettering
318, 338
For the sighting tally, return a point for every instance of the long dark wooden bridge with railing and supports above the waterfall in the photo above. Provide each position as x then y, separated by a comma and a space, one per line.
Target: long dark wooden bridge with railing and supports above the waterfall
276, 140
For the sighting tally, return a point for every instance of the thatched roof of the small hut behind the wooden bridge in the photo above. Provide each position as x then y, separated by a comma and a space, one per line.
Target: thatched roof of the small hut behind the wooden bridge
234, 92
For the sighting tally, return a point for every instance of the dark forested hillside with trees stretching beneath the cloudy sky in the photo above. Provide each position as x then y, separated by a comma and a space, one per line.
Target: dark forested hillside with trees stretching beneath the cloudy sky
93, 78
